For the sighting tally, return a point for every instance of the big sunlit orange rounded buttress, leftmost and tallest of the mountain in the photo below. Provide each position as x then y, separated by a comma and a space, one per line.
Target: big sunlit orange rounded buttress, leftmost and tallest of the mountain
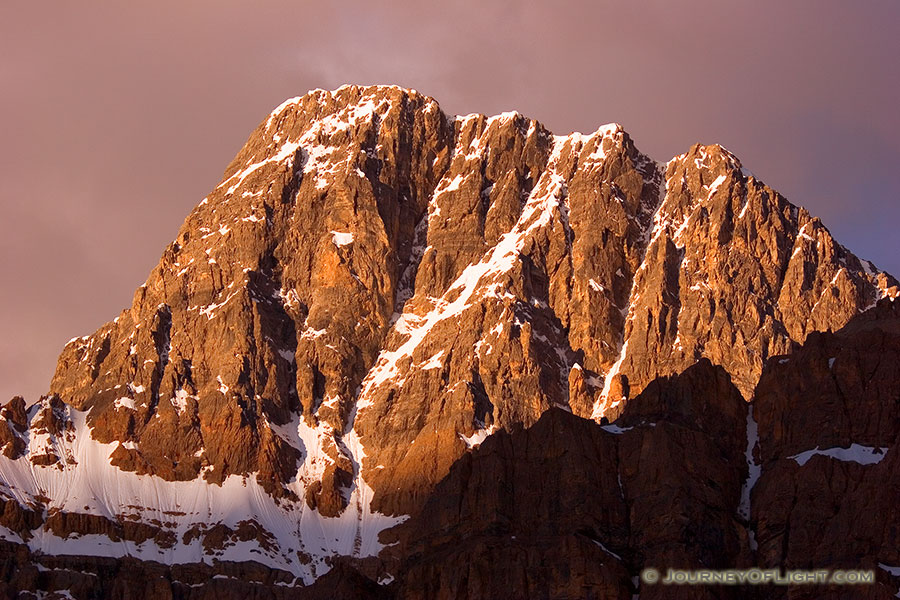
274, 297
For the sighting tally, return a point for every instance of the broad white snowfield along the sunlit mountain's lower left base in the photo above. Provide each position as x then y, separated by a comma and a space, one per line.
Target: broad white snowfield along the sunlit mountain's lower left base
94, 486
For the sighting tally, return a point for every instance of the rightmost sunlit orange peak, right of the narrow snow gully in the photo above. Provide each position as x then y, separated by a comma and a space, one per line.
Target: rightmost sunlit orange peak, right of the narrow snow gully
736, 274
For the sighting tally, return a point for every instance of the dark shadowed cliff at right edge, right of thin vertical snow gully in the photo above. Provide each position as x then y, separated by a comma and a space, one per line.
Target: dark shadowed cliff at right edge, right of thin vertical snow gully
829, 439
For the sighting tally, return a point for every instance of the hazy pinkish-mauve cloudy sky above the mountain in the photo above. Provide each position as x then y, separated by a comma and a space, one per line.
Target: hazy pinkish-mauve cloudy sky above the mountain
116, 121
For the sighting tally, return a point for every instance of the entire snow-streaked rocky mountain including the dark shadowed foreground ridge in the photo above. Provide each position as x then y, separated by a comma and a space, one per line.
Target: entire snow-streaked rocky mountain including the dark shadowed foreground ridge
400, 354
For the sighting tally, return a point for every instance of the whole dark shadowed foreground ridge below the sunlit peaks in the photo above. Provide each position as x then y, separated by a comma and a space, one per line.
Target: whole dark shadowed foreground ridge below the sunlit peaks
570, 508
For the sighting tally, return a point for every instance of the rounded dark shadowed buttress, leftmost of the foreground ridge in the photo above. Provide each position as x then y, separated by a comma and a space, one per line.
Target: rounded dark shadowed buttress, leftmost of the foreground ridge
512, 519
